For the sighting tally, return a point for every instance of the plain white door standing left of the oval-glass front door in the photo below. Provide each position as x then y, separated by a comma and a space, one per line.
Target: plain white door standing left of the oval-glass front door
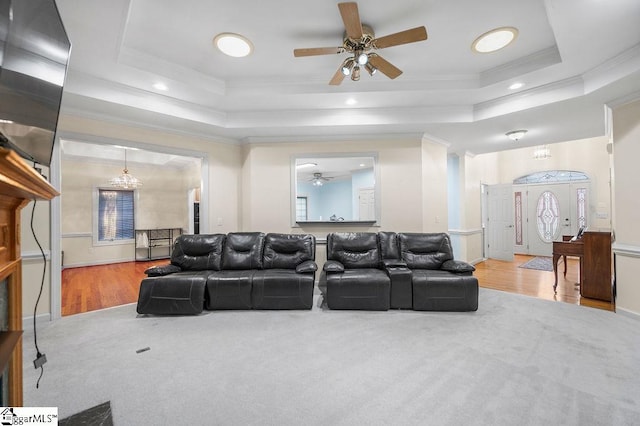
500, 227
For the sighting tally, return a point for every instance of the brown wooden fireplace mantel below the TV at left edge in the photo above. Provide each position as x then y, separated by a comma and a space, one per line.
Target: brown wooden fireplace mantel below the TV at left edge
19, 184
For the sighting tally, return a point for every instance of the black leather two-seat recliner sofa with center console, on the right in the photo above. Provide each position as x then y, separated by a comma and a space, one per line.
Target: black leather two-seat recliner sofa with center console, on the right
378, 271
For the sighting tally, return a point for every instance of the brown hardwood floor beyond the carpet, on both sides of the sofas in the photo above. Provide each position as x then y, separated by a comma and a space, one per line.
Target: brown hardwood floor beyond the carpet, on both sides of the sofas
98, 287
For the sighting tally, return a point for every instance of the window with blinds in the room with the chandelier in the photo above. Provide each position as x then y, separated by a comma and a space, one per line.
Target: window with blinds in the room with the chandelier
115, 215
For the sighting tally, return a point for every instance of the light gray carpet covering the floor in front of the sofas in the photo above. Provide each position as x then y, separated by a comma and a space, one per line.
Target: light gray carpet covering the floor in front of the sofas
518, 360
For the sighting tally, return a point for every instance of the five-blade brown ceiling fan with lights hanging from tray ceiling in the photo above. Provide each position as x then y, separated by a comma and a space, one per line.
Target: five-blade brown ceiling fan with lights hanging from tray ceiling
360, 41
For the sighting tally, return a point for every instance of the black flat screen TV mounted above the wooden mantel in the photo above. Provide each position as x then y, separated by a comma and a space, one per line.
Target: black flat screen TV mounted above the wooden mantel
34, 53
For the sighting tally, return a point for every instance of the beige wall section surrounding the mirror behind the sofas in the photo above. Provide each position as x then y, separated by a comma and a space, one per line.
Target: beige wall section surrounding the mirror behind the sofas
267, 185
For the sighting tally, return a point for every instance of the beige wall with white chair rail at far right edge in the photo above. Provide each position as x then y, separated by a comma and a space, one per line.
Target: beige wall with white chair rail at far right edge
626, 152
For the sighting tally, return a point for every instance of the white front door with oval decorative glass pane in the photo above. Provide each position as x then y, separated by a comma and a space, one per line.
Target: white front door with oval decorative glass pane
550, 217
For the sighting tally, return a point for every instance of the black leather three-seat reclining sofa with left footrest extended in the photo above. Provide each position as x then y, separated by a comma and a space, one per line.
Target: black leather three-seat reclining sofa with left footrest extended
244, 270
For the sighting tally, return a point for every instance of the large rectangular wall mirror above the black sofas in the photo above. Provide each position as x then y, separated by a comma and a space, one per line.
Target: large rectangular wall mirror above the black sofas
341, 188
